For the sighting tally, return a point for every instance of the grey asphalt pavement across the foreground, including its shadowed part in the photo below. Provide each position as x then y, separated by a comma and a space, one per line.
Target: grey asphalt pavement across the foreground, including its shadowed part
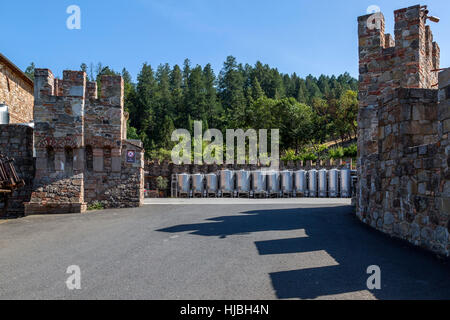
211, 251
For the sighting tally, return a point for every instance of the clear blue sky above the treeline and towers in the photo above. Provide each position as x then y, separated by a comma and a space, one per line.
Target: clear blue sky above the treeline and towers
302, 36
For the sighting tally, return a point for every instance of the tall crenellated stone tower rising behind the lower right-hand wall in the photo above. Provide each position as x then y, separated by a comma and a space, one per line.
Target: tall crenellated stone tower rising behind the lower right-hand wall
385, 63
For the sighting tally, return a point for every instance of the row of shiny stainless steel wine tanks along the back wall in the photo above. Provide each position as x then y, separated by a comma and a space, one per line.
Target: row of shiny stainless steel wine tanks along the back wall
312, 183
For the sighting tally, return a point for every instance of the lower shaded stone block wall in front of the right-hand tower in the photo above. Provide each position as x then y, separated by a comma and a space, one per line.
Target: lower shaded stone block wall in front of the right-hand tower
402, 192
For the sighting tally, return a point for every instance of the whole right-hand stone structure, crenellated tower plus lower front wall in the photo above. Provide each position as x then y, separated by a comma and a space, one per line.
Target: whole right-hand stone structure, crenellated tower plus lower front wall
404, 187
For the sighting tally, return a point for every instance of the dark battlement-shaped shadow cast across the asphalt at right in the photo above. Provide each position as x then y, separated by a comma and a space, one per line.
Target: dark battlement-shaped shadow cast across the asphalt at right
406, 272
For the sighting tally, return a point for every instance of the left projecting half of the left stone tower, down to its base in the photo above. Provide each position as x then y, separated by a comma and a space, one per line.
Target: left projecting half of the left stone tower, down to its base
59, 106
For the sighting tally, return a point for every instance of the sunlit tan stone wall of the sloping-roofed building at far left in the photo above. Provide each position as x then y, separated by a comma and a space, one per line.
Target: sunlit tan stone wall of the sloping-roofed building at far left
16, 91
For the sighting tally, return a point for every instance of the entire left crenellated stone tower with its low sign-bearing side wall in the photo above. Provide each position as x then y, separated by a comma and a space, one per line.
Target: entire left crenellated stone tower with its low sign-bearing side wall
82, 155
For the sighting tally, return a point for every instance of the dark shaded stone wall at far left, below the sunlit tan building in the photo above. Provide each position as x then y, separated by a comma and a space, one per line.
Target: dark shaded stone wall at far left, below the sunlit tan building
16, 141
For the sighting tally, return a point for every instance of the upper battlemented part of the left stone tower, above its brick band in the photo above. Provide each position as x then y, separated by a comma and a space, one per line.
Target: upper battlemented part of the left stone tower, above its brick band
75, 114
